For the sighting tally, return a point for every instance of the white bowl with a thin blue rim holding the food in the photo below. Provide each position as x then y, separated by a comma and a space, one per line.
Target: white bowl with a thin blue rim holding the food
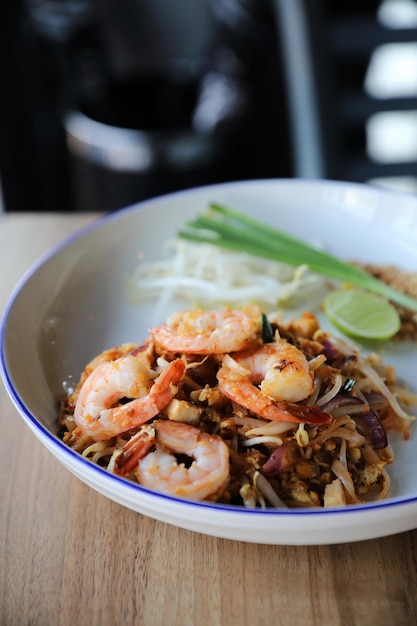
73, 304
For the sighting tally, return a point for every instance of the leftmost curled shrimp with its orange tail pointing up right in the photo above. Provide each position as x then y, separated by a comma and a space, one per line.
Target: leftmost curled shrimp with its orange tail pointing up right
97, 411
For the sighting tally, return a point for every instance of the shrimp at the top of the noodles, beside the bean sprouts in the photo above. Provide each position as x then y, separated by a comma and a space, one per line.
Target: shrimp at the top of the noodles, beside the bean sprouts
211, 332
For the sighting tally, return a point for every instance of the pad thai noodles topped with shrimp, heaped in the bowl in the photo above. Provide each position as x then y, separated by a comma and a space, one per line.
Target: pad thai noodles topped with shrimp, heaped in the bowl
236, 407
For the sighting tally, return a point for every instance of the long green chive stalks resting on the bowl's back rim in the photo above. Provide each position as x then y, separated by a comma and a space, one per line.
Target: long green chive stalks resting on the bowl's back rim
231, 229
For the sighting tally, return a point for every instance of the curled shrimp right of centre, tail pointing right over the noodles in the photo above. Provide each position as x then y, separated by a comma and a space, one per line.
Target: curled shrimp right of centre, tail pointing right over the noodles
284, 378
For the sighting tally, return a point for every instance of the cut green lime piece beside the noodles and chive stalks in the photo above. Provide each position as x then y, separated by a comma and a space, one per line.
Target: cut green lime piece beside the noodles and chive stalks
361, 315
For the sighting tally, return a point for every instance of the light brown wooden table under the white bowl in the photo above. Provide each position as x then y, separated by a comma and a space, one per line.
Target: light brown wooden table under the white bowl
69, 556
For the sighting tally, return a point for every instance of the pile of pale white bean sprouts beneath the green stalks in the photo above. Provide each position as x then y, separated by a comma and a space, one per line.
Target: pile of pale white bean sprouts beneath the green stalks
208, 276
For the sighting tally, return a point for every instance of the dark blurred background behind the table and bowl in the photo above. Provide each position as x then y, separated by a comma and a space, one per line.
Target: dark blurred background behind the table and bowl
104, 103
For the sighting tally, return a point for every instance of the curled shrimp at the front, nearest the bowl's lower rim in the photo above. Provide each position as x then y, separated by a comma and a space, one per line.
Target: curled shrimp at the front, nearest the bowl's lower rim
206, 477
